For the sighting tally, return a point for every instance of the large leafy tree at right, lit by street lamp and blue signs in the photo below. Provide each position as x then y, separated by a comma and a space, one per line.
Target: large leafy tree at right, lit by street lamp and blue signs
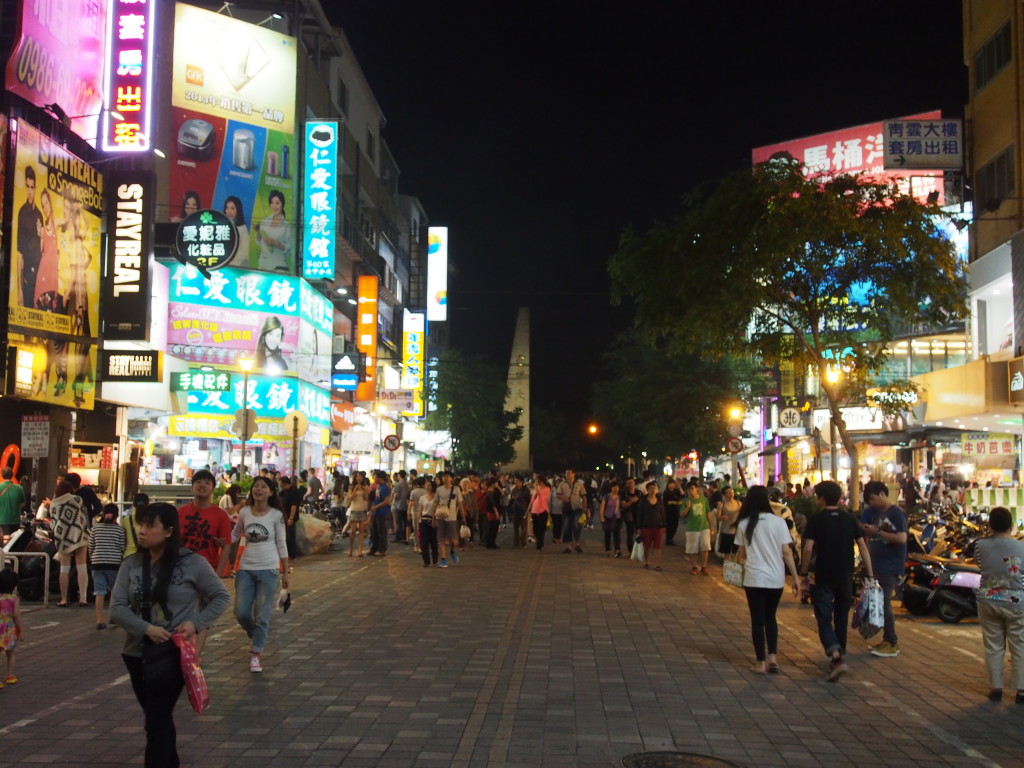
787, 269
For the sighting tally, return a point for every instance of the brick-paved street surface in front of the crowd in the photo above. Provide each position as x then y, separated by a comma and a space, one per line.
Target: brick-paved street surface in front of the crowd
515, 659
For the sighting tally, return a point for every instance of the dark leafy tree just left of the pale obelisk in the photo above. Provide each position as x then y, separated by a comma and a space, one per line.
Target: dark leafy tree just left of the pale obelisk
471, 407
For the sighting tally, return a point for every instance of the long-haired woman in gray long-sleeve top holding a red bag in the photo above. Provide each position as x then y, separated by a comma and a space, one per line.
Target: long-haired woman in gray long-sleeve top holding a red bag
179, 582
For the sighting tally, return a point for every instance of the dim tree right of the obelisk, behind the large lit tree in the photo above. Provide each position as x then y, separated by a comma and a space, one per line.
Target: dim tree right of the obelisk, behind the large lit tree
666, 405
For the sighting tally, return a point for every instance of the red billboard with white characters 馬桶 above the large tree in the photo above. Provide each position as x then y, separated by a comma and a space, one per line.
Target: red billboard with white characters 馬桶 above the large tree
854, 151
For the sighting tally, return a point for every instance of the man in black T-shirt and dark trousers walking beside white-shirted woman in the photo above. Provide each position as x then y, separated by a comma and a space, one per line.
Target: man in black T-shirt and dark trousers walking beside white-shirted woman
831, 535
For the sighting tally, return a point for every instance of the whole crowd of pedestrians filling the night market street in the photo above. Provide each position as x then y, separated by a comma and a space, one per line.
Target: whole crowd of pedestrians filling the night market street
163, 566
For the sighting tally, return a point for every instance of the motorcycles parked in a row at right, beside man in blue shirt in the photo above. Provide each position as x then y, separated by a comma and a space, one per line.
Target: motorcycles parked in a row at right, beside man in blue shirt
942, 577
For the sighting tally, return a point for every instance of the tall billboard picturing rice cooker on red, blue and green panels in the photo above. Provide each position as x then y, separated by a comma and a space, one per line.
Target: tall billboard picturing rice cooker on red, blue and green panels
234, 142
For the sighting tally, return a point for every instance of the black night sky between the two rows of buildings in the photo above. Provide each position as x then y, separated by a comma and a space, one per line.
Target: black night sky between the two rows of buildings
537, 133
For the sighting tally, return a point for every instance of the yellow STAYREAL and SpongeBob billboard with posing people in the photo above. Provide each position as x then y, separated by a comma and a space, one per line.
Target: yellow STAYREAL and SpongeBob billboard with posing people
54, 296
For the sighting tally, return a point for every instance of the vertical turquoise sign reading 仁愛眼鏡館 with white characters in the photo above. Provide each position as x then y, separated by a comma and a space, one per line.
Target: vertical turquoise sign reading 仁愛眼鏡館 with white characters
320, 193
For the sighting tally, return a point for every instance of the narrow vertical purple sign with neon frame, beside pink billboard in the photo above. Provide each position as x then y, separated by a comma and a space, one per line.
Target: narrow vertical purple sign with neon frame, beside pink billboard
130, 66
